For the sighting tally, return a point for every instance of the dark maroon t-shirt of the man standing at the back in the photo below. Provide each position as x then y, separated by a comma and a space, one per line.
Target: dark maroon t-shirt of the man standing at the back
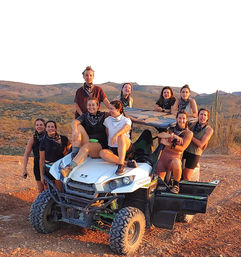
81, 97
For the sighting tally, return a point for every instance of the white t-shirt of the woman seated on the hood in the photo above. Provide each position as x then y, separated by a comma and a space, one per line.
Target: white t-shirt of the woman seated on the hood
114, 125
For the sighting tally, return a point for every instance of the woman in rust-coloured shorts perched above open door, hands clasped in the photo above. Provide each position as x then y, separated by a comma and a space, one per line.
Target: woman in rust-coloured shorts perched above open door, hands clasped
175, 141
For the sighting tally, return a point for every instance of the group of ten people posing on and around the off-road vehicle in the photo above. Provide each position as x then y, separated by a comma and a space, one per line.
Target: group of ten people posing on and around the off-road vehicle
107, 134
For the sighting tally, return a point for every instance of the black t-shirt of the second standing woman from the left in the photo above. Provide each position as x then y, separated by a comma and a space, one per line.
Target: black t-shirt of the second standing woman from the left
54, 149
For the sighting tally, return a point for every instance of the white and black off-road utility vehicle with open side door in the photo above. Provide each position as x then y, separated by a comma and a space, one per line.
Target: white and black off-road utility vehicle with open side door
93, 196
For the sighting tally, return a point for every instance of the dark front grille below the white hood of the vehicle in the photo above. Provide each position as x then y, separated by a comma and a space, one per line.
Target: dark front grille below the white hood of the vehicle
79, 188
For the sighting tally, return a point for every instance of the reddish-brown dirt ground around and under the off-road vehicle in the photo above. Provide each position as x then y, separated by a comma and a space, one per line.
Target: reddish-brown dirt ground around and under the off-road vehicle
216, 233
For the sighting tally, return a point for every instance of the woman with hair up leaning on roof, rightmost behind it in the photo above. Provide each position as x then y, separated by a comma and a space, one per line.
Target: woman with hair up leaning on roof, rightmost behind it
185, 103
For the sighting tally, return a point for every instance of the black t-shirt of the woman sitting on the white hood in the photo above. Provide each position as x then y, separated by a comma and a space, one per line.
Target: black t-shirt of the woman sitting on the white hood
94, 127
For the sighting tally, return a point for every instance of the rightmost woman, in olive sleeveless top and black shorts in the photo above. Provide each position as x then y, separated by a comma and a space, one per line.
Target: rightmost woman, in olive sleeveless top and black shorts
202, 133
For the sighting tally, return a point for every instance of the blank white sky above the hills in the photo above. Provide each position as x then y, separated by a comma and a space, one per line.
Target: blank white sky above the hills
154, 42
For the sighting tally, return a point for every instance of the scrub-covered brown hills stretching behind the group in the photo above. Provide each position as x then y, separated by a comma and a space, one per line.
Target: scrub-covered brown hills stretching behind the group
22, 103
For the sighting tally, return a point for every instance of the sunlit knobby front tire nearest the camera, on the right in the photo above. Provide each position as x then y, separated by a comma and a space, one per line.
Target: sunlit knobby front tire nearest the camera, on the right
127, 230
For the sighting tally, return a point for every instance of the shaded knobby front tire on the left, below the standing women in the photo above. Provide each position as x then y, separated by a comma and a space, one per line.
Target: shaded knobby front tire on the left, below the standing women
42, 213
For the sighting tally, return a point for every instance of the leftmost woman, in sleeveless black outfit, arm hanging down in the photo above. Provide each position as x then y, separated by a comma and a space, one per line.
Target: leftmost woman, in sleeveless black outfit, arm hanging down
33, 144
